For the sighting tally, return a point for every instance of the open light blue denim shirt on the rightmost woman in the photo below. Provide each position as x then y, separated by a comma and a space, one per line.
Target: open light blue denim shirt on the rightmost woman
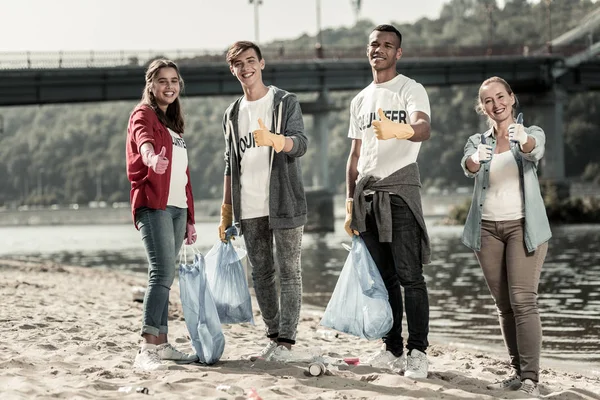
537, 227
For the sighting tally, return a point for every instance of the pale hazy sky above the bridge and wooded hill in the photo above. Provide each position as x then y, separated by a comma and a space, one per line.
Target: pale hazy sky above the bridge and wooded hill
72, 25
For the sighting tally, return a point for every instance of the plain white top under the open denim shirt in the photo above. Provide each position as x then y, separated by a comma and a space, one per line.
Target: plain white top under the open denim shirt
503, 200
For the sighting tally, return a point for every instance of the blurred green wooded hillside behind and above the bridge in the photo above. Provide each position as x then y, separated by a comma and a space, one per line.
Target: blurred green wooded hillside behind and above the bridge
61, 154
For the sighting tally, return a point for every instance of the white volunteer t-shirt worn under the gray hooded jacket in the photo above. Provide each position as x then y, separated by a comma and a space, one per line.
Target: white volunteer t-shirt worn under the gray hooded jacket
255, 168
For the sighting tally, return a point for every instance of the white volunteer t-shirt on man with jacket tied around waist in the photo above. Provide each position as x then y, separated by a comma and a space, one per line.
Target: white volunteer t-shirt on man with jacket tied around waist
398, 98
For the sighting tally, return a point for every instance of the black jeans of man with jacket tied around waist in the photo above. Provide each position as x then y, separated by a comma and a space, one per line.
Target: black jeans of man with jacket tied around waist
399, 263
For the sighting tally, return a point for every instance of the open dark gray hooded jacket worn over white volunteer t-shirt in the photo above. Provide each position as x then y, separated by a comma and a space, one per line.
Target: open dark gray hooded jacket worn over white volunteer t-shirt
287, 200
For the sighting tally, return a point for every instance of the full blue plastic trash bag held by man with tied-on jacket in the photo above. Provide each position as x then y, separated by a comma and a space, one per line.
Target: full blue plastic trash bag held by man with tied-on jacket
359, 304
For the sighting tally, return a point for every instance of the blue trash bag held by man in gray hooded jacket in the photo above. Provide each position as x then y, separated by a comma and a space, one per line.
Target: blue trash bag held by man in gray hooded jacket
228, 282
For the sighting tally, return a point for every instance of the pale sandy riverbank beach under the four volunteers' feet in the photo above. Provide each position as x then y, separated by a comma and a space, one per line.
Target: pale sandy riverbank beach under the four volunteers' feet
72, 332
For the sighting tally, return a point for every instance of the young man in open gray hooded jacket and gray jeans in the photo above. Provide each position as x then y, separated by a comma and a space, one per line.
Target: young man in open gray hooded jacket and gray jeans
263, 194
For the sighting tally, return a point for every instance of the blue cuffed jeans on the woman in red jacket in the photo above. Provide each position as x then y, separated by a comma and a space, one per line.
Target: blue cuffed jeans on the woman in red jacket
162, 234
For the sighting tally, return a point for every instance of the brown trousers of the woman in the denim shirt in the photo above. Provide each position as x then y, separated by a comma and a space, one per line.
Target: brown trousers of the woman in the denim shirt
513, 275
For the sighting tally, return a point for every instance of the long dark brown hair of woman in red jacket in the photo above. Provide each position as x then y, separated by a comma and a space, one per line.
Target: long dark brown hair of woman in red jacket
173, 118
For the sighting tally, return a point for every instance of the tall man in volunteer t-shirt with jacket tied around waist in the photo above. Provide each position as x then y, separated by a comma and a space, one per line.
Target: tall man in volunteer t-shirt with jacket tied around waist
388, 121
